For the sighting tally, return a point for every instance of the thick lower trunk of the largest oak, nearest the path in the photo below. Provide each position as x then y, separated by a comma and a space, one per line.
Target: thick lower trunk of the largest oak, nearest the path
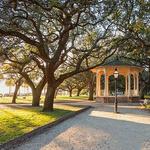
49, 98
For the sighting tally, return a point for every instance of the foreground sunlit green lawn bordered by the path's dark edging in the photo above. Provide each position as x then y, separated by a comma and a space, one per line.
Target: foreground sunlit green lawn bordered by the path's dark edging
15, 121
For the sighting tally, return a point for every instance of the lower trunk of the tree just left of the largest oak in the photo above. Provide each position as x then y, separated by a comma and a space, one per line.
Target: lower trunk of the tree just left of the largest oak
36, 95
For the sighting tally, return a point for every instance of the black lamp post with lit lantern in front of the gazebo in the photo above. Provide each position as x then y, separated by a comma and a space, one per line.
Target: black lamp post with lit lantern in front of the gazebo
116, 74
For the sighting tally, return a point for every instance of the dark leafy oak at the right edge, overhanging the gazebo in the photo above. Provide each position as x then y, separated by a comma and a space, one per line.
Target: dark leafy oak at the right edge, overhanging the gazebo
132, 20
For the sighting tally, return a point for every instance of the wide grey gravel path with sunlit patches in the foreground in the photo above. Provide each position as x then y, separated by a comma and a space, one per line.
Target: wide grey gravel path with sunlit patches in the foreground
97, 129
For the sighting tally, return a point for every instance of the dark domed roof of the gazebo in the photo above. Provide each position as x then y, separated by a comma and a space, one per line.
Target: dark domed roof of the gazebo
121, 62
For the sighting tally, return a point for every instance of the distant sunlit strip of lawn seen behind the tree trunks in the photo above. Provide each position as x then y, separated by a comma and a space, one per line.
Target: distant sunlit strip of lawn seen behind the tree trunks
28, 99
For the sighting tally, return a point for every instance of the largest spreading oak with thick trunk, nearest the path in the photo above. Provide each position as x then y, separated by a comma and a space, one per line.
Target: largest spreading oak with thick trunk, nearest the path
58, 31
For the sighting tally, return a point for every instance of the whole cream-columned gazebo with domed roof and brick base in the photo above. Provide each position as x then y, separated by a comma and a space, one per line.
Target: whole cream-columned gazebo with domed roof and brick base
129, 70
